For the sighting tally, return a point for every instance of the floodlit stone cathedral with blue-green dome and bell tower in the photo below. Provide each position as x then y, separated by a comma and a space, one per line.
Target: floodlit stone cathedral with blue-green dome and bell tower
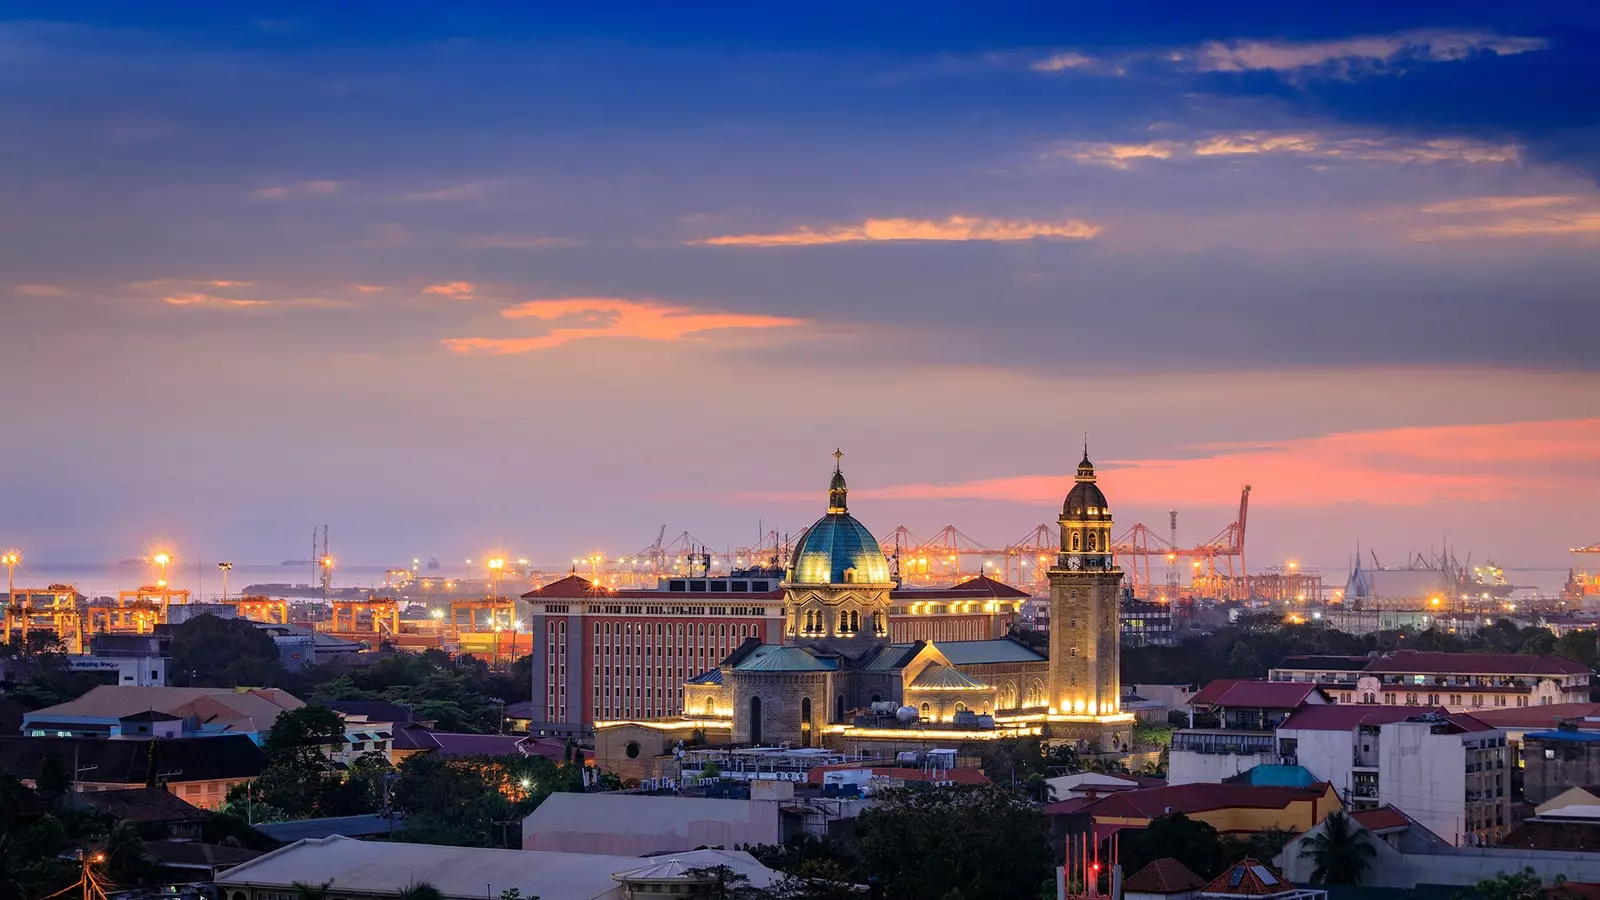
839, 681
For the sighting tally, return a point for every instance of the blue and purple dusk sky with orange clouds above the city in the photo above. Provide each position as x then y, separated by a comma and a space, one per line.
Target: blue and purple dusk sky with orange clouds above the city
546, 278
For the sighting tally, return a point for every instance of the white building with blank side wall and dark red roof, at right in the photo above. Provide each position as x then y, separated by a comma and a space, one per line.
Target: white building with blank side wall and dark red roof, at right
1450, 773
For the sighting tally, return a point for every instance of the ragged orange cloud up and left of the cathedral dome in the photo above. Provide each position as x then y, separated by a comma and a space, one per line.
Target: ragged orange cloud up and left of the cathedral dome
590, 318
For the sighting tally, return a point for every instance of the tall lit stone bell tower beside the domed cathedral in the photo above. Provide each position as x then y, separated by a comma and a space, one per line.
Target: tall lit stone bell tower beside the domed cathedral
1086, 622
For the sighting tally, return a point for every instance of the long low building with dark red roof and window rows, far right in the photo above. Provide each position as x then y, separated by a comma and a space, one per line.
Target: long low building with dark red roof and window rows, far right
1462, 683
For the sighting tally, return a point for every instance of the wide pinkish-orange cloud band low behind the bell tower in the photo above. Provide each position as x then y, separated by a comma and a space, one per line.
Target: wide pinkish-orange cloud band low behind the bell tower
1402, 467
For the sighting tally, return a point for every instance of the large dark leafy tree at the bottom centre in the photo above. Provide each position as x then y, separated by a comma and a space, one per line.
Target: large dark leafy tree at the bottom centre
988, 842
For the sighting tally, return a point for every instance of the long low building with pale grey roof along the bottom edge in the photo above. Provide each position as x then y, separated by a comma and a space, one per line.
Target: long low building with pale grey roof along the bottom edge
378, 870
